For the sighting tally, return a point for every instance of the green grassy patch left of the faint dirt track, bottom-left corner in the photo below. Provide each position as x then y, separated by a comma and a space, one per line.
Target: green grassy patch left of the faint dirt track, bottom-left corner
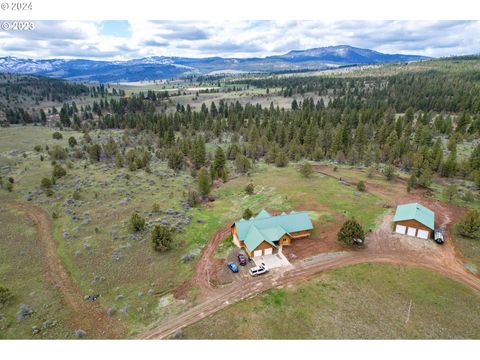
23, 270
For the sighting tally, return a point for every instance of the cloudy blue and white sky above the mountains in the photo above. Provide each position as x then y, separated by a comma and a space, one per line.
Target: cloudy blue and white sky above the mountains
120, 40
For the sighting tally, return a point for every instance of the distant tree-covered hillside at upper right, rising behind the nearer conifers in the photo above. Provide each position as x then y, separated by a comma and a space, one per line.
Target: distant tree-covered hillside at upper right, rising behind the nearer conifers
451, 85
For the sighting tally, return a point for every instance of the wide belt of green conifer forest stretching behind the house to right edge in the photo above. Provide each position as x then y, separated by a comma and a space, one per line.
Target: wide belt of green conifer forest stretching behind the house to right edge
414, 121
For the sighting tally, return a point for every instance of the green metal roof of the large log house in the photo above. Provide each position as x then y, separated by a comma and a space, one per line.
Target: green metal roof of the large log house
265, 227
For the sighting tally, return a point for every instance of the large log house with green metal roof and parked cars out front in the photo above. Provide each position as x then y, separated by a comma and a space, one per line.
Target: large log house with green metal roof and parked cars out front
266, 233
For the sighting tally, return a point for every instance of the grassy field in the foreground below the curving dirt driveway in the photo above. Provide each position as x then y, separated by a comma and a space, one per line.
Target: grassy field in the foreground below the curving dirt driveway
359, 302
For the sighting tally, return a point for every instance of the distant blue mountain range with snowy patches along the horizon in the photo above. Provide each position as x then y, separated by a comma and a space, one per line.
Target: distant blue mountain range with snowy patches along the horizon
162, 67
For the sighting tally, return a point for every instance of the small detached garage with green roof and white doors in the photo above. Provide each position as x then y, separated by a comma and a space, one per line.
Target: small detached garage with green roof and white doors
414, 220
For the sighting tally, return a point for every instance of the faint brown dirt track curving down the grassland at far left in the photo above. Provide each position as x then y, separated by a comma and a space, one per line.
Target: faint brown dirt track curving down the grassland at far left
90, 317
